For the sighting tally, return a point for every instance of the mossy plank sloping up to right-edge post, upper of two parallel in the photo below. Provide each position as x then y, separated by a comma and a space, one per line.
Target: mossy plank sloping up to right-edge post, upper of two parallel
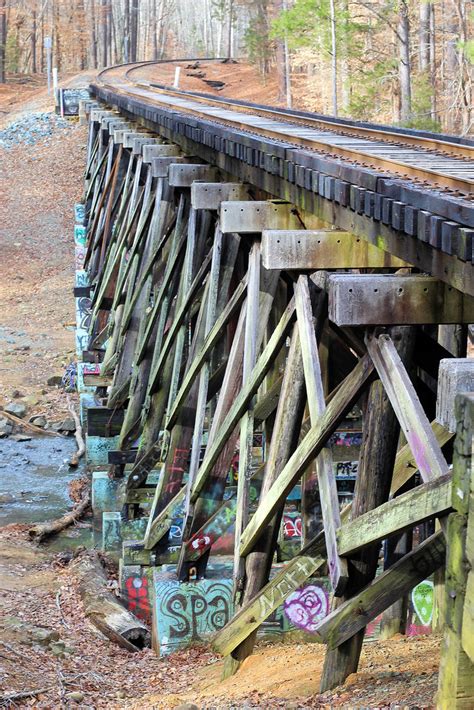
424, 502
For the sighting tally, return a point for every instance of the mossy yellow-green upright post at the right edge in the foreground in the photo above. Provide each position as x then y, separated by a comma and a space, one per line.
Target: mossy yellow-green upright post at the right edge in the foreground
456, 674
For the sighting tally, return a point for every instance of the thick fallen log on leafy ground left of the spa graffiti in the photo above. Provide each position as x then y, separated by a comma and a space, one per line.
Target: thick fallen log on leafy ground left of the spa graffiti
103, 609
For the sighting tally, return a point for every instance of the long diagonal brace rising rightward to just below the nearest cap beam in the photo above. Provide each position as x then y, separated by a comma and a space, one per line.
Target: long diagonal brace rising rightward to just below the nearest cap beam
348, 393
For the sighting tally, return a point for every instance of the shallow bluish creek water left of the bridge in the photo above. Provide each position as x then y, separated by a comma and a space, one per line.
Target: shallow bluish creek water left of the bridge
34, 477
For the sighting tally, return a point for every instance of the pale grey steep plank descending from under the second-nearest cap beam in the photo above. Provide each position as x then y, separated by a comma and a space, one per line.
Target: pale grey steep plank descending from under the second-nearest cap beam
338, 572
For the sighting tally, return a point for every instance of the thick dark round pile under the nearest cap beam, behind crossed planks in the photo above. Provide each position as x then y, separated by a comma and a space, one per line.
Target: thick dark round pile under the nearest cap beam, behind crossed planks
377, 457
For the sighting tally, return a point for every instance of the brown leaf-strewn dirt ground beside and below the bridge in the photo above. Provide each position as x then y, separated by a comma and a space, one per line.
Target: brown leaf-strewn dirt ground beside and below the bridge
38, 189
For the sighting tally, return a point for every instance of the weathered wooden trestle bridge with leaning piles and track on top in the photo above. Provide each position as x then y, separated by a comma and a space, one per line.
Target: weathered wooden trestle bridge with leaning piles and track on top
261, 279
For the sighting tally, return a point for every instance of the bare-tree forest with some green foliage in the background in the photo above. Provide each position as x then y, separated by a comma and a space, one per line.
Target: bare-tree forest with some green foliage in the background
408, 62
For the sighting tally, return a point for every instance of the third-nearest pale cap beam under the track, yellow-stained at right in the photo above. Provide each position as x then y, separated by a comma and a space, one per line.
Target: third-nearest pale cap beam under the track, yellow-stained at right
255, 216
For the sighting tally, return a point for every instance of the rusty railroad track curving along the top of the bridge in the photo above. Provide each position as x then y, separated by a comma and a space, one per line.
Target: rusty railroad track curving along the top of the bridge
442, 162
